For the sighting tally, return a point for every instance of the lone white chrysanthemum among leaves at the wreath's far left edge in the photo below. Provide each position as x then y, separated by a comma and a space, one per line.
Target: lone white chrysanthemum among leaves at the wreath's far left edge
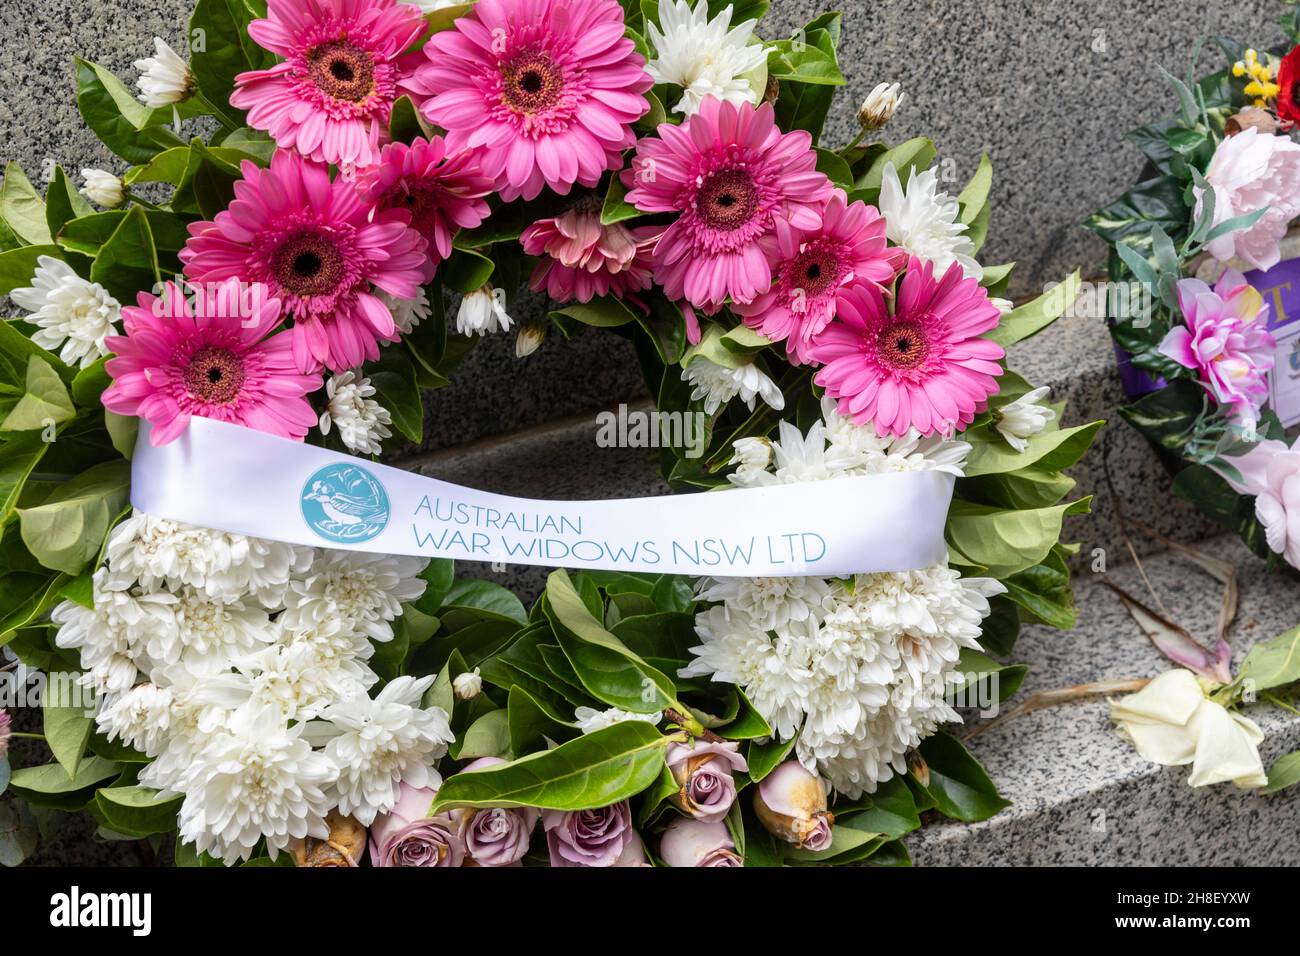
71, 314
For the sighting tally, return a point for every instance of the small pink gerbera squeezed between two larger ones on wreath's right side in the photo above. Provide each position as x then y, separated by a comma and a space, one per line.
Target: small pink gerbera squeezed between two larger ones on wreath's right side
816, 271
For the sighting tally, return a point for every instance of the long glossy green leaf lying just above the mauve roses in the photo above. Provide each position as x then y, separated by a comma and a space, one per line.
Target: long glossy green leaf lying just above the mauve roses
586, 773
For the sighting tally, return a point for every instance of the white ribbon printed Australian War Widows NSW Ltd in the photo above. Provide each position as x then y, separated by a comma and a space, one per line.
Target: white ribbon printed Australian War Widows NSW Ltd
229, 478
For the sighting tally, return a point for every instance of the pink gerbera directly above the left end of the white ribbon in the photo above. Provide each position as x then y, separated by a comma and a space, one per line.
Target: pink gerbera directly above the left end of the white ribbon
213, 358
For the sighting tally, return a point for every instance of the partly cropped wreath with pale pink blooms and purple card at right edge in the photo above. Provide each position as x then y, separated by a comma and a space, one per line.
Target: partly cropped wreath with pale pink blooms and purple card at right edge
1199, 306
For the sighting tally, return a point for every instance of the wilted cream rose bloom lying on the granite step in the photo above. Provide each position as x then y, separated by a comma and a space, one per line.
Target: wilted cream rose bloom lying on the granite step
1172, 723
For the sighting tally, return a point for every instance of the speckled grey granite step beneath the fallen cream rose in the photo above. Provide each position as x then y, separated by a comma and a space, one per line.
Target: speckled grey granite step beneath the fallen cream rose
1080, 794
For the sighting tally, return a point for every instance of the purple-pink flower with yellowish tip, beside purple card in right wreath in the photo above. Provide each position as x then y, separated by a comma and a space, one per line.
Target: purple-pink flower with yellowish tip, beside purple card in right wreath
1225, 341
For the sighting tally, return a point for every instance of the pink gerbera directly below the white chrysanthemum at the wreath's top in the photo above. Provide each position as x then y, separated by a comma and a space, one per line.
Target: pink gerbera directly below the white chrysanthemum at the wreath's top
740, 188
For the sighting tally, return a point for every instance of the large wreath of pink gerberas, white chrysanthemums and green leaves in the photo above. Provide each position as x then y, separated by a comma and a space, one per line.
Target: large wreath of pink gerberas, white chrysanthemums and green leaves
656, 171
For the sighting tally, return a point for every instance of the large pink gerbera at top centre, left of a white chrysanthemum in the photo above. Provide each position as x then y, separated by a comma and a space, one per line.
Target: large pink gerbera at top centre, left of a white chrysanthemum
545, 92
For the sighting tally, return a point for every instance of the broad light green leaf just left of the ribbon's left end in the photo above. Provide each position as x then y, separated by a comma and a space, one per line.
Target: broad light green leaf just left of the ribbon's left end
68, 529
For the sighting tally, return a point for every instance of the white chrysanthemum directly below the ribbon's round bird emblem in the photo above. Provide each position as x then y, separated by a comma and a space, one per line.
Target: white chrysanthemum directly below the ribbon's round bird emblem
362, 591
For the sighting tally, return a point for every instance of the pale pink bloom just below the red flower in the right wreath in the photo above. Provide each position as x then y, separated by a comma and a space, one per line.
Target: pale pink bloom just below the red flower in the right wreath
1251, 171
